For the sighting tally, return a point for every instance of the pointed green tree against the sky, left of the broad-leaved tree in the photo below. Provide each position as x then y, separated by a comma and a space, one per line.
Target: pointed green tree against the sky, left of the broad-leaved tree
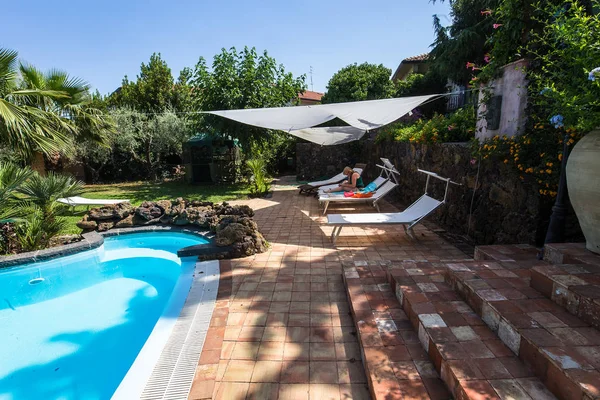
154, 89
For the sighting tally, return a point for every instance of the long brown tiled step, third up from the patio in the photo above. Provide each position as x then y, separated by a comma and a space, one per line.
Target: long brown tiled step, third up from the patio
562, 350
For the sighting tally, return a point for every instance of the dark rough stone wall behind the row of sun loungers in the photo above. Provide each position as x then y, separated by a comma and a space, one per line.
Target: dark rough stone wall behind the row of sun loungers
505, 208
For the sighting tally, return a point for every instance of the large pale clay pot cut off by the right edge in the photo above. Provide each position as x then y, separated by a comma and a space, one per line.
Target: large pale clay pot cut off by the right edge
583, 181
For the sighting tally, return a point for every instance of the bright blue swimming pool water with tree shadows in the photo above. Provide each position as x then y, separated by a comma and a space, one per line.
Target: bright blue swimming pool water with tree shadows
70, 328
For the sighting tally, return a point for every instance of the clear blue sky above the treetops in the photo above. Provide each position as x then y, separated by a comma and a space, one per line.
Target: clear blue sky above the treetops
101, 41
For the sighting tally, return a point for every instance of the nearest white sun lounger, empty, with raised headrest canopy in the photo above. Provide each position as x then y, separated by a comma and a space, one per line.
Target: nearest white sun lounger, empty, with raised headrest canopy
421, 208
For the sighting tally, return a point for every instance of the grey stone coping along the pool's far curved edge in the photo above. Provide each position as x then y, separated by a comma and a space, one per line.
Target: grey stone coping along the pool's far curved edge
92, 240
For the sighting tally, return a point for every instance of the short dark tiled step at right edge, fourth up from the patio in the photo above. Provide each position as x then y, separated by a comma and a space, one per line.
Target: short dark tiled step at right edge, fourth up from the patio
576, 287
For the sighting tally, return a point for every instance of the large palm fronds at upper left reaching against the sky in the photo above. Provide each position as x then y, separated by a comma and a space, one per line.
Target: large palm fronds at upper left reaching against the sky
46, 112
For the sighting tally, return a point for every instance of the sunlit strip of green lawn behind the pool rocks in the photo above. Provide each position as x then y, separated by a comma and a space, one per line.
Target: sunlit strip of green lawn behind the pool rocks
138, 192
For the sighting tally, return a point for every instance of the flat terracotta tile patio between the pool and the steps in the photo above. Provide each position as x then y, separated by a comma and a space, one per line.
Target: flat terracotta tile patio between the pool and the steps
282, 320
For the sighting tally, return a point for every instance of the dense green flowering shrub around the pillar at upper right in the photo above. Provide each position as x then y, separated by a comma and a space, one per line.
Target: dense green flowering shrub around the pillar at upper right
560, 43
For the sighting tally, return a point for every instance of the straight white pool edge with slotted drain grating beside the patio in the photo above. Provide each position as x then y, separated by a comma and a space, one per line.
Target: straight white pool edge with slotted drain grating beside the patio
166, 365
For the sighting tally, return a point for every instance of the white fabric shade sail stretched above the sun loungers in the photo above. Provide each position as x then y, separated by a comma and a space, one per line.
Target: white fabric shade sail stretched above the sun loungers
300, 121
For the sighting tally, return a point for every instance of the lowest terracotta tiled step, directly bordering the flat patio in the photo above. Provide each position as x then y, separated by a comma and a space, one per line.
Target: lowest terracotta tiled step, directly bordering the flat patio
395, 364
